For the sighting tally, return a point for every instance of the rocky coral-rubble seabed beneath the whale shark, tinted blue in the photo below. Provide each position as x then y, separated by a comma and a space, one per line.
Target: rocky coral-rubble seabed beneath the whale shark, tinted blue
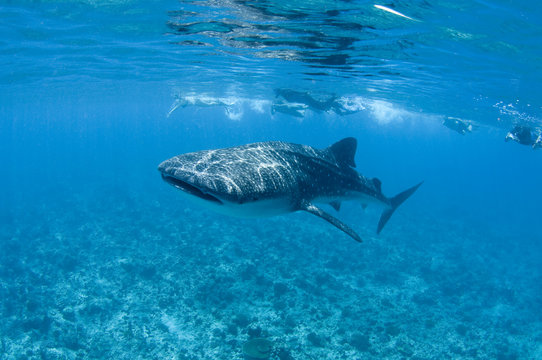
114, 275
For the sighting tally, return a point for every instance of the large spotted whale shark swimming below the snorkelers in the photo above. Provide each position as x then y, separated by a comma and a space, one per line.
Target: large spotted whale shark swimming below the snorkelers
272, 178
